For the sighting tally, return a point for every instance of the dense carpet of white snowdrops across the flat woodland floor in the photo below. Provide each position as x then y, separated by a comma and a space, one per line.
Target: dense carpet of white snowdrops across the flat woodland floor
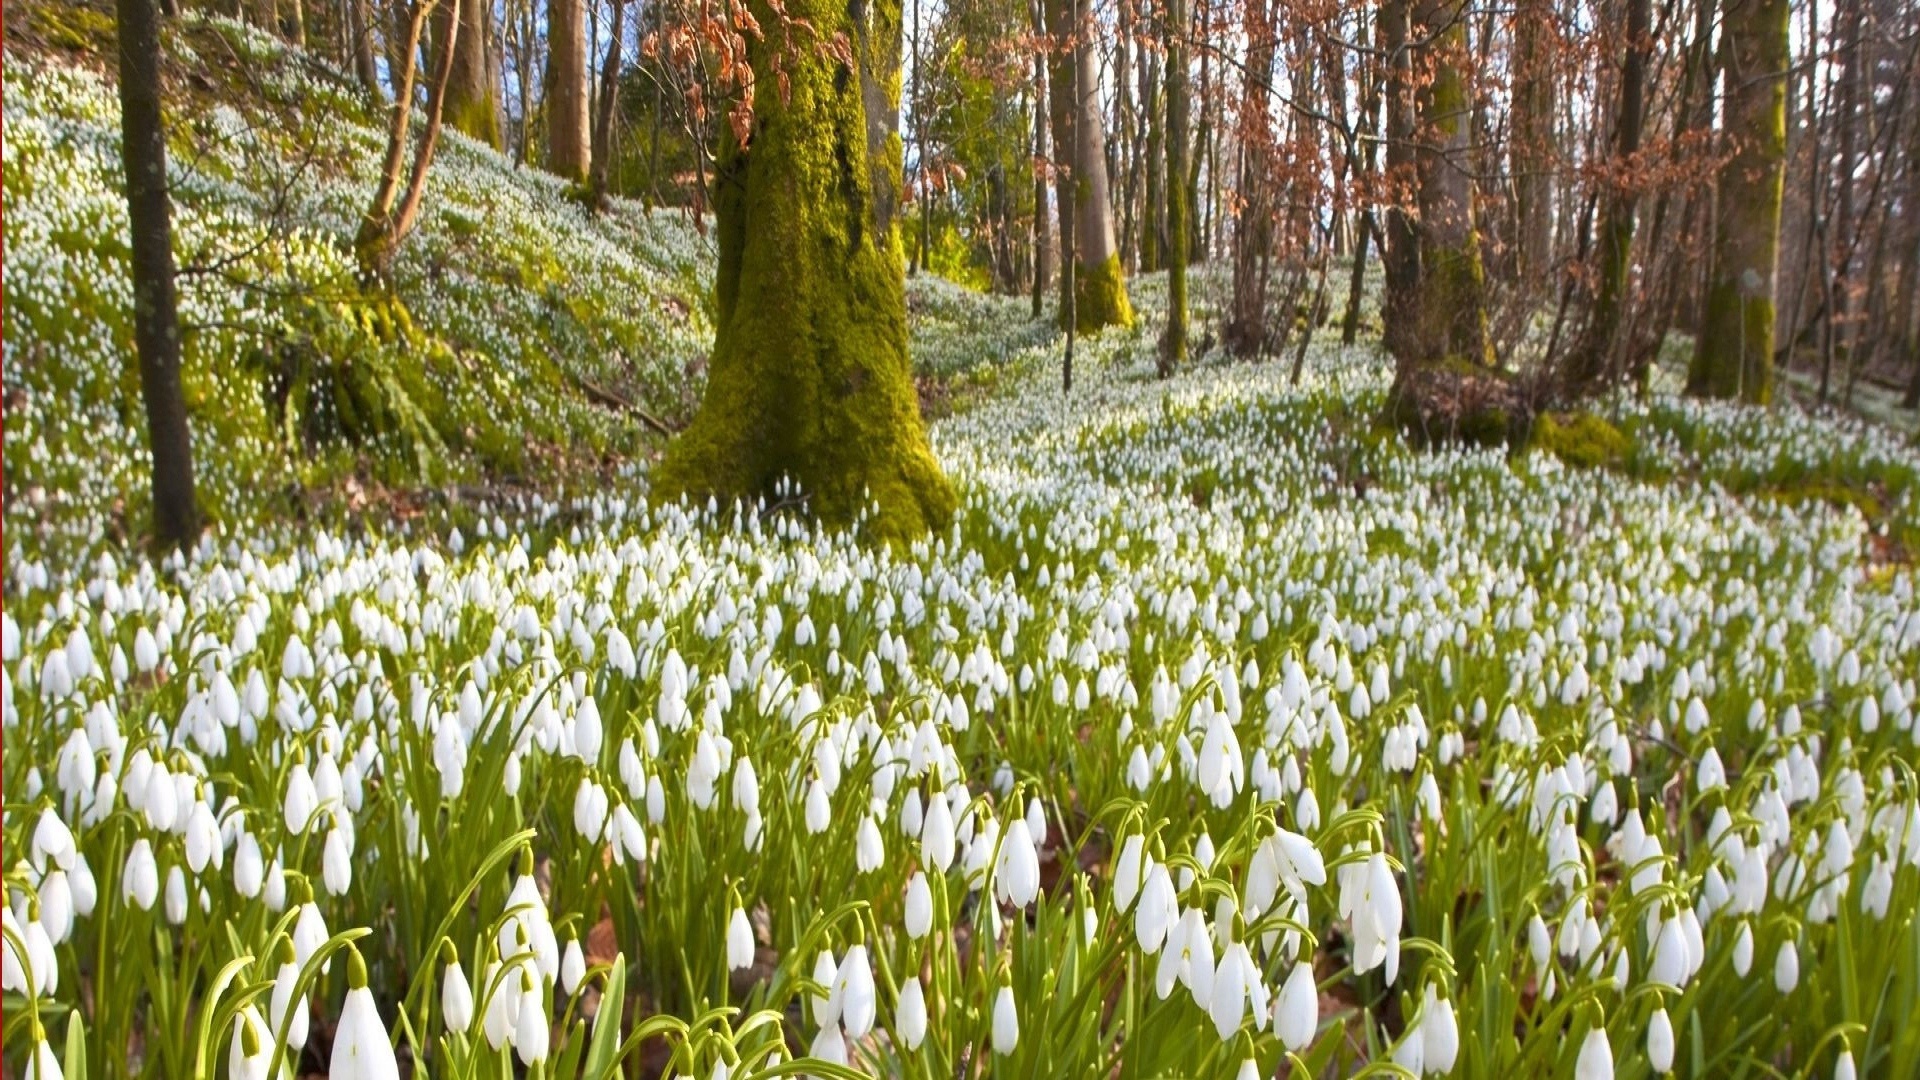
1220, 735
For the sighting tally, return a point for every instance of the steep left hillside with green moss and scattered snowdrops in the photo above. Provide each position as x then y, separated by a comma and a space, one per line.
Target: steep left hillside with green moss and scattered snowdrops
519, 337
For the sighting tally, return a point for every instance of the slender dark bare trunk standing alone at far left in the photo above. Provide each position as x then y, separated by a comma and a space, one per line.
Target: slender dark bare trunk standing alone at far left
156, 322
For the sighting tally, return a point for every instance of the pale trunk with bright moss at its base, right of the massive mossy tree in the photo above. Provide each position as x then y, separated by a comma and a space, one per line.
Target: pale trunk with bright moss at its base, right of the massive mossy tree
1099, 280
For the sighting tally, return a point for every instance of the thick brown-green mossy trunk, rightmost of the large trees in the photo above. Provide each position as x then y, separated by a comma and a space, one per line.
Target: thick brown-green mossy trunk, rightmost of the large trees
1735, 355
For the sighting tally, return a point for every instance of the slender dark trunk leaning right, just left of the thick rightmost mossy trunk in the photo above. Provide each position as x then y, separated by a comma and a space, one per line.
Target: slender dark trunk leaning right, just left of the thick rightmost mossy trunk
1596, 358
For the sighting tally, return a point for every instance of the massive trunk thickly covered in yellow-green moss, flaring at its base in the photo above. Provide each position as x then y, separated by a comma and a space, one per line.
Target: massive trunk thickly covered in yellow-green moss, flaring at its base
809, 376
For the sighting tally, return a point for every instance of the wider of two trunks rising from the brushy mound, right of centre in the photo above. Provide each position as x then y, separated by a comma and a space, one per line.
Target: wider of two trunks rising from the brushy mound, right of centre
1452, 280
